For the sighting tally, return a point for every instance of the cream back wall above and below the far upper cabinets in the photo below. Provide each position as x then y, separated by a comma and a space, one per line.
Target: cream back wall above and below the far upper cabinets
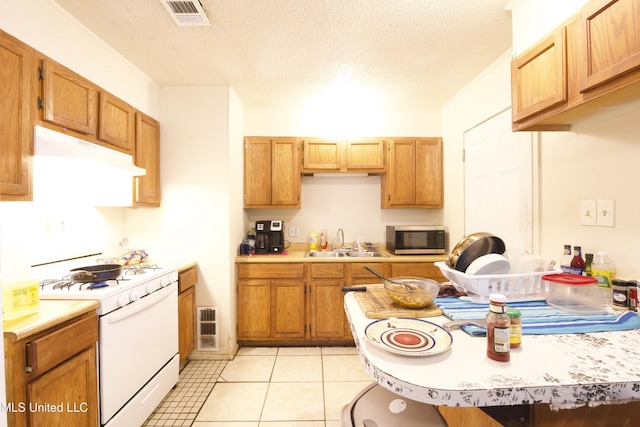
350, 203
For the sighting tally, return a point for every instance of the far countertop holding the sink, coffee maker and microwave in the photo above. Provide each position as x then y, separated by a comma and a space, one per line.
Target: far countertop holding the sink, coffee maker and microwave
297, 251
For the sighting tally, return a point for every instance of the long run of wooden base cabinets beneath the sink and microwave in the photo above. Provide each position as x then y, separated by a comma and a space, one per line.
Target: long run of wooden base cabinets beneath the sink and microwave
302, 303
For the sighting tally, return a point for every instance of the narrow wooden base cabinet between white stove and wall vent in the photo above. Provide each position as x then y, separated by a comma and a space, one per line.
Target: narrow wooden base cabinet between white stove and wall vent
187, 280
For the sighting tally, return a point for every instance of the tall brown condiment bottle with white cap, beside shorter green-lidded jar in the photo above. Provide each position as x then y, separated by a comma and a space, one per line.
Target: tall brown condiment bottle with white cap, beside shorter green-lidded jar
498, 329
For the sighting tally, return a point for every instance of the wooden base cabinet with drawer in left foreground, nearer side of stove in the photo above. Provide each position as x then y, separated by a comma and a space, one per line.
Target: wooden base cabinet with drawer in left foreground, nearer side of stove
52, 376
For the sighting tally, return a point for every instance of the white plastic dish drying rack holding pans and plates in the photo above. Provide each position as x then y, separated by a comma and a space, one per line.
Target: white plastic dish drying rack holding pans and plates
516, 287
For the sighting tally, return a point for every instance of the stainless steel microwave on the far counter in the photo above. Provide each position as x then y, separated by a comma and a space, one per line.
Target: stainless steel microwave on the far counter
415, 239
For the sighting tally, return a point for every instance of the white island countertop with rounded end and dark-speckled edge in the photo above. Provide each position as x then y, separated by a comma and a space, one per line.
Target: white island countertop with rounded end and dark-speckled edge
565, 371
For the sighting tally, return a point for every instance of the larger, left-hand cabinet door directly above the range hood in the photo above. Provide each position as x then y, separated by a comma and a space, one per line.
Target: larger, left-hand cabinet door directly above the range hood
68, 99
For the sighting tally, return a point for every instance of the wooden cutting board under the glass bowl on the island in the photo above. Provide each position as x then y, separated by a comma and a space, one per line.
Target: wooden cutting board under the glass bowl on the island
376, 304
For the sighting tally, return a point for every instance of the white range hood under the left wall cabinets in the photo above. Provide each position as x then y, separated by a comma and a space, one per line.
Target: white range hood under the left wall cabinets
74, 153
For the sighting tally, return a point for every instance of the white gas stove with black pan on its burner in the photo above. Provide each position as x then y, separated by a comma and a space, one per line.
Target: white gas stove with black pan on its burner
138, 323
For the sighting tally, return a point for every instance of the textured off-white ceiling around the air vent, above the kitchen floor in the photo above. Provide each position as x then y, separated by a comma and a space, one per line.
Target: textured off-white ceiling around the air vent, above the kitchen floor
279, 53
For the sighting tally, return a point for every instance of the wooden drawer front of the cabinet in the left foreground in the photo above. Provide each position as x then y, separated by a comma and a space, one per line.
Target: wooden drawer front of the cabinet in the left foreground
52, 349
